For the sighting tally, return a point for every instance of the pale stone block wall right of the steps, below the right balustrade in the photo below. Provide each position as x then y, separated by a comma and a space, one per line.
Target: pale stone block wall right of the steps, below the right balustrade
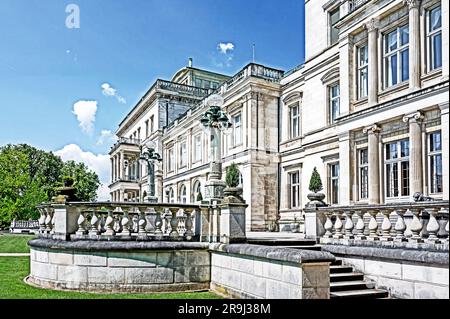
406, 273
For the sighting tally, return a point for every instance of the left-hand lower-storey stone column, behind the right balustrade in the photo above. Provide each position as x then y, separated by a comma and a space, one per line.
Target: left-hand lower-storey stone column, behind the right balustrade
374, 162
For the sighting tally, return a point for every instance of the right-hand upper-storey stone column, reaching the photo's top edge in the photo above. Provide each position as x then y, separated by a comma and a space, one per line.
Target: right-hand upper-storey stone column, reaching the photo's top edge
414, 43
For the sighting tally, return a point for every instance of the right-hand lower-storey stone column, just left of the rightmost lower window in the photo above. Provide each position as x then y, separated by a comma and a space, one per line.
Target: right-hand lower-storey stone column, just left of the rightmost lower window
415, 153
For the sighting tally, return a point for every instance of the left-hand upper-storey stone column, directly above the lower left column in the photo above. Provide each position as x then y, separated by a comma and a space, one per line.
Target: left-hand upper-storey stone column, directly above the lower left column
372, 31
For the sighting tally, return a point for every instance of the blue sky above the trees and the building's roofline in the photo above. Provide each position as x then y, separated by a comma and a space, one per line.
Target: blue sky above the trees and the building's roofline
45, 68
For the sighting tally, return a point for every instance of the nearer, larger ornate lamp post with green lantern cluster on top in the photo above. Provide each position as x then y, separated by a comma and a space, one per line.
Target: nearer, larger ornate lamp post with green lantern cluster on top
215, 121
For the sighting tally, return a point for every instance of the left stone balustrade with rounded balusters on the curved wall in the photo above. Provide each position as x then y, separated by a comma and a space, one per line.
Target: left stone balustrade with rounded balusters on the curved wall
119, 221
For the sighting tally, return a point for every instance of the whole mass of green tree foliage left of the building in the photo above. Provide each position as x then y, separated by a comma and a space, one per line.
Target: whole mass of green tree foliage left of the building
29, 176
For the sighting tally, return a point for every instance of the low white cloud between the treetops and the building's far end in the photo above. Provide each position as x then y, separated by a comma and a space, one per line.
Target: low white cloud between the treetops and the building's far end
98, 163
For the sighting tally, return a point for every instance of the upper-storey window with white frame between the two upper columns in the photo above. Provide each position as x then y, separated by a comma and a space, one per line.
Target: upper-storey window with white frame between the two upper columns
396, 56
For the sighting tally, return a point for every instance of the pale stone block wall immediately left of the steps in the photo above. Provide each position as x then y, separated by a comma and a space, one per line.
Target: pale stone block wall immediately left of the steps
261, 272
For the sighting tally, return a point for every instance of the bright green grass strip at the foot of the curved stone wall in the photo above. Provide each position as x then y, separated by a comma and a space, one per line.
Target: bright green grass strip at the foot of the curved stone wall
14, 269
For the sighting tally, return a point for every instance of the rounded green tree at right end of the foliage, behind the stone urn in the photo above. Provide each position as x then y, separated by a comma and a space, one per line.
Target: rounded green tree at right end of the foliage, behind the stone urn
85, 181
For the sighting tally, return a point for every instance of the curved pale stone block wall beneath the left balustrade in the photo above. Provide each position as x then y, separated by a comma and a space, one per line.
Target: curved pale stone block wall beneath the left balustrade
119, 266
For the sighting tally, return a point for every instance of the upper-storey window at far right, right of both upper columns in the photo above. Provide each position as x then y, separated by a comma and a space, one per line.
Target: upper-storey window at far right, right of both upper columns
434, 38
